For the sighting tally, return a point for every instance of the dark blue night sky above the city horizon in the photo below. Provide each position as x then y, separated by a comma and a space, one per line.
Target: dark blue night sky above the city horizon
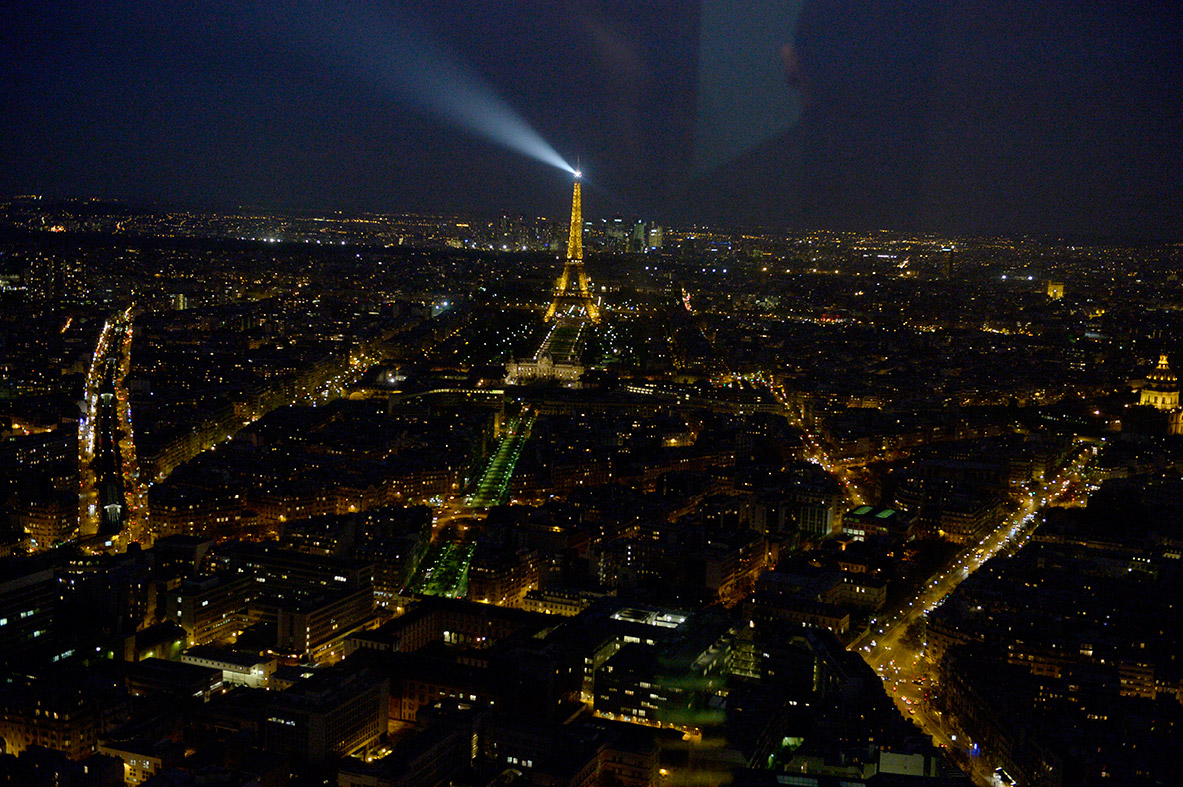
952, 118
